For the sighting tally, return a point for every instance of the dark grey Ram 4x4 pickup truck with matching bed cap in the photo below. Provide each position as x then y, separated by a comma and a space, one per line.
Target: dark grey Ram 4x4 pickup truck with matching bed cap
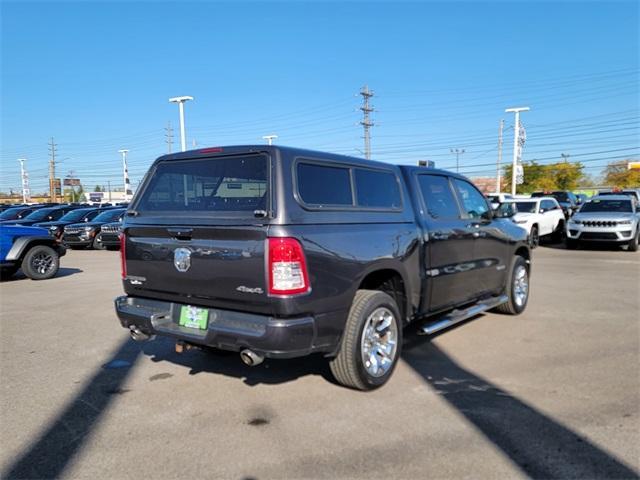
280, 252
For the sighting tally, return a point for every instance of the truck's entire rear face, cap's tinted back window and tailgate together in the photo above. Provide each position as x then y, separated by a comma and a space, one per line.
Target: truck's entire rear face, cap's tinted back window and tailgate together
196, 232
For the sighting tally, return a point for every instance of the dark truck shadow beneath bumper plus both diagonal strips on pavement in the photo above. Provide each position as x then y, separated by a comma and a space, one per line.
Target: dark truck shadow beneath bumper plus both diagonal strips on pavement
538, 445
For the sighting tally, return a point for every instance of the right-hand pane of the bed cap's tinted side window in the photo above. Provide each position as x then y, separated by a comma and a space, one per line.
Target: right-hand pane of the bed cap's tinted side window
377, 189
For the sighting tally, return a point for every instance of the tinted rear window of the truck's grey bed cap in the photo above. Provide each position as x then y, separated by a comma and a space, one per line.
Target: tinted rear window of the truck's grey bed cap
227, 184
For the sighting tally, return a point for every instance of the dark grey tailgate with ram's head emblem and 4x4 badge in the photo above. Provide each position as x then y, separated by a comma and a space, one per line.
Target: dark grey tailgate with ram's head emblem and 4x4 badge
213, 266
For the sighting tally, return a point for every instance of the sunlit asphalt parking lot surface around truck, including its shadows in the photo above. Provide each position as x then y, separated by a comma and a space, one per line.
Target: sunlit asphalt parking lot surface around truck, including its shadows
553, 393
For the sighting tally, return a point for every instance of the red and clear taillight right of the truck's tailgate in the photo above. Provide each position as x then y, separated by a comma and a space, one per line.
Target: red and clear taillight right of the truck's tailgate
287, 267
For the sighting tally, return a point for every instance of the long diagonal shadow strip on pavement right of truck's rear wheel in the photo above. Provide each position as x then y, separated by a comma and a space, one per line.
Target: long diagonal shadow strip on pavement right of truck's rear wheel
539, 446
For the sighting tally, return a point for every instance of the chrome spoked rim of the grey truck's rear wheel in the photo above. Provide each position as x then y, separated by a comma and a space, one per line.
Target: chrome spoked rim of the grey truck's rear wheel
378, 346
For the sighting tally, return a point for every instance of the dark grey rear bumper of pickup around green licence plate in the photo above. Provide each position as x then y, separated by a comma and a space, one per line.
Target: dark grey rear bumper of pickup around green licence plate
226, 330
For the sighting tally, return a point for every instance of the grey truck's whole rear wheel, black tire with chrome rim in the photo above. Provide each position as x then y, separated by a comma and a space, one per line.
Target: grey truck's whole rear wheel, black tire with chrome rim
370, 310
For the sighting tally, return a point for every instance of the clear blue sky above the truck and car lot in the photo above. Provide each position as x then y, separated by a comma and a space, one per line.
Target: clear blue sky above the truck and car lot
97, 76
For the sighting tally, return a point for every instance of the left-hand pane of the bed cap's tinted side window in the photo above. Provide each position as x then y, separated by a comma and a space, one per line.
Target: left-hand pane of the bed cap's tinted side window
323, 185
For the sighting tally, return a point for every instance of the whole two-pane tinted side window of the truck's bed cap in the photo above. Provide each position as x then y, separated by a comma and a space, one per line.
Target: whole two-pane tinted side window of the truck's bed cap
324, 186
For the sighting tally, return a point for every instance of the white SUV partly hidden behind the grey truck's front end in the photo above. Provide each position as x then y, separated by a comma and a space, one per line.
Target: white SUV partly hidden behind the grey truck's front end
539, 217
